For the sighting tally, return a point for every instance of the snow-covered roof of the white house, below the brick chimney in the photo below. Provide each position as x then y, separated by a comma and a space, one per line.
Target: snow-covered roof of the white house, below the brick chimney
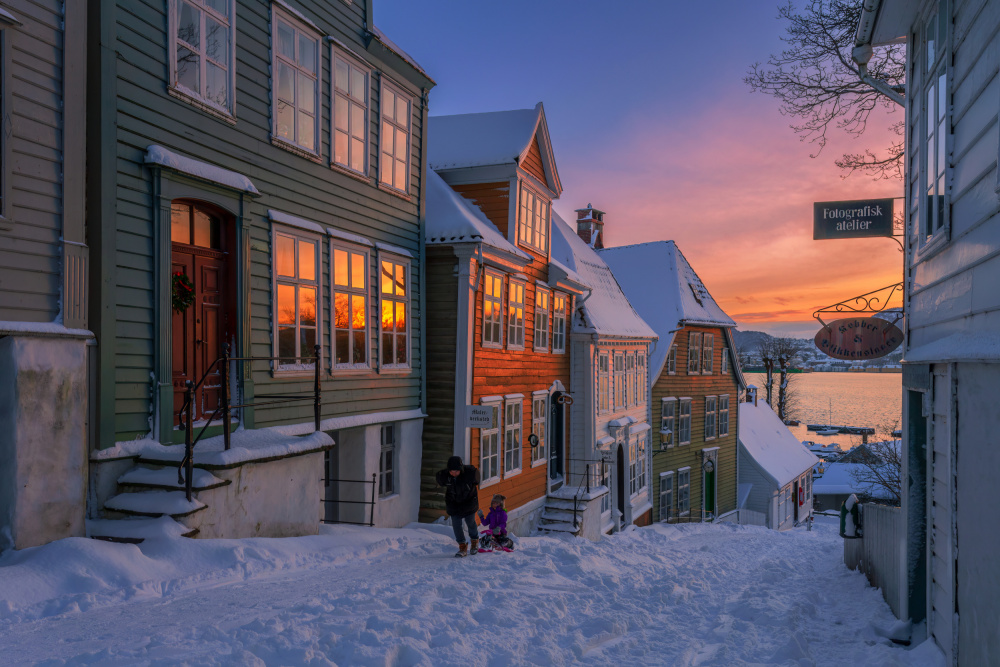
605, 310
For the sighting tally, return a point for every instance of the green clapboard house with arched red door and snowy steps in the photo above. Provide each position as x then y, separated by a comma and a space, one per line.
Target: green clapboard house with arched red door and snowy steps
256, 184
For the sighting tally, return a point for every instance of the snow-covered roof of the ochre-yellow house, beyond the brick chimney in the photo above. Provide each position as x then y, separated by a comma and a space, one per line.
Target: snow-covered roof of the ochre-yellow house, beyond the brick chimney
665, 291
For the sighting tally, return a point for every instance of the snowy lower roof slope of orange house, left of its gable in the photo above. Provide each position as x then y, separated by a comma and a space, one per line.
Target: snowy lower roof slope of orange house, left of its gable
453, 219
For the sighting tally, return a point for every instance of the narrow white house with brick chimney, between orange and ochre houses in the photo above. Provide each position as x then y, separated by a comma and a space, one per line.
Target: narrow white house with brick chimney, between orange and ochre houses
611, 432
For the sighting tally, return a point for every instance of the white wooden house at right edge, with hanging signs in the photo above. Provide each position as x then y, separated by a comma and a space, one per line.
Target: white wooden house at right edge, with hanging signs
951, 351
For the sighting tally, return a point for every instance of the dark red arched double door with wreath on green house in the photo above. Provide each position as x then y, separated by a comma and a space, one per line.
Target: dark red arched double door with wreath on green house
201, 241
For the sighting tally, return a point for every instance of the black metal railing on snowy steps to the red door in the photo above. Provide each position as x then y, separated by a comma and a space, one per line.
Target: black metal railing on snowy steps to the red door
185, 416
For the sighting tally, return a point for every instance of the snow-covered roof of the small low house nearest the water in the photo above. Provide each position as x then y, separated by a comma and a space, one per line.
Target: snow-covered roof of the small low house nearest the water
772, 446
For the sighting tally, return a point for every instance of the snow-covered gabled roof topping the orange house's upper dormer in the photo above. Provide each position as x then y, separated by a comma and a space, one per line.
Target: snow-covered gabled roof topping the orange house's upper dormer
488, 139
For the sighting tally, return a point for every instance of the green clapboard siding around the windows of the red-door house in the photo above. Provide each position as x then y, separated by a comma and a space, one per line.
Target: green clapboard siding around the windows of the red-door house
144, 113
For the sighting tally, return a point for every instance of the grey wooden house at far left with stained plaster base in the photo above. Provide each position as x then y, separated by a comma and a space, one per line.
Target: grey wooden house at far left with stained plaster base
45, 342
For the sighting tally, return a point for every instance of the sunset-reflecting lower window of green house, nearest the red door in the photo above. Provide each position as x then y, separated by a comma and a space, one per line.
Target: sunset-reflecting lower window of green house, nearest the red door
296, 288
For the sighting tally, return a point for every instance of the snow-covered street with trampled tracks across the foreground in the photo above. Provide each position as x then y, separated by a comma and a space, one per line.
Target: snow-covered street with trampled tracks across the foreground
664, 595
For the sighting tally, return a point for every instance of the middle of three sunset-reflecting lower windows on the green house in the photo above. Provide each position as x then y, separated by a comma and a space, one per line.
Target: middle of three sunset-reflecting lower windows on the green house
350, 306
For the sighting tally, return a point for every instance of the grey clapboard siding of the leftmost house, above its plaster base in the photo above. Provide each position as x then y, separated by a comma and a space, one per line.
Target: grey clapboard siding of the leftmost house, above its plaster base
30, 240
